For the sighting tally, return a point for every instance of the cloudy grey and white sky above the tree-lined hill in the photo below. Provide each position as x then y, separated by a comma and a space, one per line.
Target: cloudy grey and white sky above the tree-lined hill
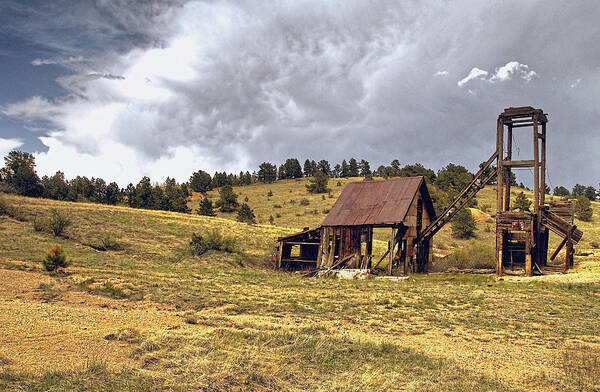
121, 89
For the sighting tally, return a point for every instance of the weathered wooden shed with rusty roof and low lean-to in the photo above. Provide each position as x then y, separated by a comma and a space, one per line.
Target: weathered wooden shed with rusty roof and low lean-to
345, 238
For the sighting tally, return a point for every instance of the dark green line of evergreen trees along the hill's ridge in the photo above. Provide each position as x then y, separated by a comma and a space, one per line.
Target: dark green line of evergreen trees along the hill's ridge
19, 176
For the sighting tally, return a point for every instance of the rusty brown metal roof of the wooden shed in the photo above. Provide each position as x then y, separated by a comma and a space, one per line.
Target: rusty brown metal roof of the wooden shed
379, 202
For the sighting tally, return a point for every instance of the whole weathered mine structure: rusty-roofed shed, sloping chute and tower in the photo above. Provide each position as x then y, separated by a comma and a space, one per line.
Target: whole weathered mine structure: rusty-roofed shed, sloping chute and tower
403, 204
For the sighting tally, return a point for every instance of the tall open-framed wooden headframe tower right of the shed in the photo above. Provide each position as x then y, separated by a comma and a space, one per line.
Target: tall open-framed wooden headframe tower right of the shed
522, 237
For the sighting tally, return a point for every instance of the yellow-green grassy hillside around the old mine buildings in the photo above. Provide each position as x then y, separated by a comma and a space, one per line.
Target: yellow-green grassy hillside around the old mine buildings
151, 317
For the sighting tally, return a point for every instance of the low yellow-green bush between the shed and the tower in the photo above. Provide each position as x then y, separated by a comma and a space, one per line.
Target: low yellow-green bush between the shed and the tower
476, 256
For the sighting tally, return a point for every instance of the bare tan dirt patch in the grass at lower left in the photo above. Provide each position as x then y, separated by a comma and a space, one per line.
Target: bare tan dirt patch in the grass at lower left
70, 331
